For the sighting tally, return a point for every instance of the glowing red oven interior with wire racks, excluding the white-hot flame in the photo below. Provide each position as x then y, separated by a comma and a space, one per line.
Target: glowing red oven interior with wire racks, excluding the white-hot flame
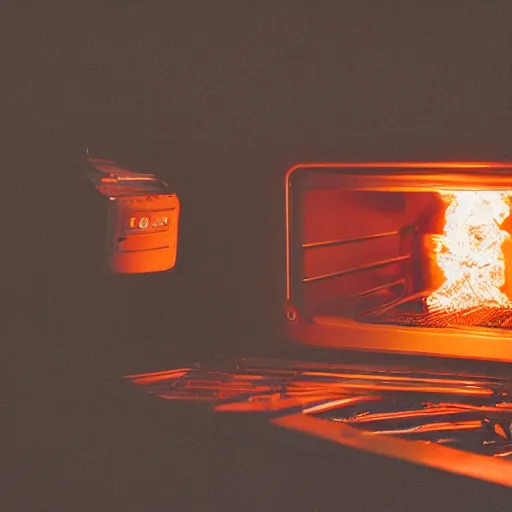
363, 247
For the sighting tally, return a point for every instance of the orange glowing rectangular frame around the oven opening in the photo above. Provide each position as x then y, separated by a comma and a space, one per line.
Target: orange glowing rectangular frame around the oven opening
334, 333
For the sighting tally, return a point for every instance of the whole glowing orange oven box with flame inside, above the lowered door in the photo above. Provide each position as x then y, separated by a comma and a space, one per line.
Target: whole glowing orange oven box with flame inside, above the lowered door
411, 258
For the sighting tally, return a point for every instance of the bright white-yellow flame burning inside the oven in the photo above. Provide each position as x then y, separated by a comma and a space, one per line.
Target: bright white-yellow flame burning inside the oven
469, 252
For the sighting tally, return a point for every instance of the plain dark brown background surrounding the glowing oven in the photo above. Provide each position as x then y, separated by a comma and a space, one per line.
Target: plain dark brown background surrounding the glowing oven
218, 98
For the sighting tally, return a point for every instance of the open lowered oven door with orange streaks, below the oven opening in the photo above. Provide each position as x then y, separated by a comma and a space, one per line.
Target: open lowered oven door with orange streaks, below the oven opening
455, 422
